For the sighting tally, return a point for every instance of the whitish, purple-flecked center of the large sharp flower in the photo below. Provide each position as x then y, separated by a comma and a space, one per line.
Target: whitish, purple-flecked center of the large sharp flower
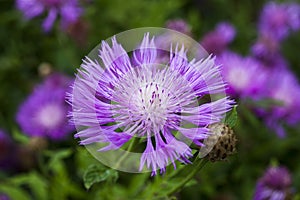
150, 98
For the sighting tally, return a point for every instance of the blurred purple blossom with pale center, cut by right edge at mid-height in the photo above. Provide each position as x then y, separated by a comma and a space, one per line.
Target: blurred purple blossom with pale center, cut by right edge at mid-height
284, 88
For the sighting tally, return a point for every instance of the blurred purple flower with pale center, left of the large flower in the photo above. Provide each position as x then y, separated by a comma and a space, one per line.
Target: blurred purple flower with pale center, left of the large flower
44, 112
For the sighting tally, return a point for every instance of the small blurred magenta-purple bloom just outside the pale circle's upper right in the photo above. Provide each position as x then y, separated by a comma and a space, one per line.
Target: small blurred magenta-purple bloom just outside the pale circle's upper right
217, 40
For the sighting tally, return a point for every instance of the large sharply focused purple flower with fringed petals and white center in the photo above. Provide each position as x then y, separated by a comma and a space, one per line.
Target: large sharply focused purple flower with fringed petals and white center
114, 101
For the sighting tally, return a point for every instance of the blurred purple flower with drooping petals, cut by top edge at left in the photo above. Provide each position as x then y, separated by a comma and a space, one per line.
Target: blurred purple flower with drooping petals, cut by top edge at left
68, 10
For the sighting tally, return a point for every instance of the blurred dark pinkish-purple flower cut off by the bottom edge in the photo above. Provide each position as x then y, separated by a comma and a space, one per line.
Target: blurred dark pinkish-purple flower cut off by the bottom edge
274, 185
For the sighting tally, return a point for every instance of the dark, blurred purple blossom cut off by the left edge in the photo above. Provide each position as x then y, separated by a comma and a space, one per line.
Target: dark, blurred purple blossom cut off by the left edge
7, 152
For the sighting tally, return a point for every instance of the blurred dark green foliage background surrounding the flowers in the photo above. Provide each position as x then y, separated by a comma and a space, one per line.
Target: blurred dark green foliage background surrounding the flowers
58, 172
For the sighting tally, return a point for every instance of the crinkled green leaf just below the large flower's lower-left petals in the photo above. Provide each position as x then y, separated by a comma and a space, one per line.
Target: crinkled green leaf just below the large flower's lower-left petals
97, 173
